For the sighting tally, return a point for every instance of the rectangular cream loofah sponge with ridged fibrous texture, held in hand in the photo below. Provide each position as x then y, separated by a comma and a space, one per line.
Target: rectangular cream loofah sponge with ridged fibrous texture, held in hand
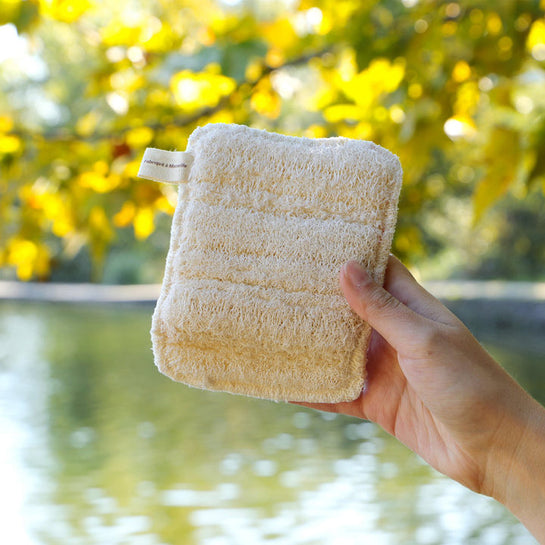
250, 302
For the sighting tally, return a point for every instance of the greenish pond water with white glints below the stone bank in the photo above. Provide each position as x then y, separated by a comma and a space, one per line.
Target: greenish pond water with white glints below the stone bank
97, 447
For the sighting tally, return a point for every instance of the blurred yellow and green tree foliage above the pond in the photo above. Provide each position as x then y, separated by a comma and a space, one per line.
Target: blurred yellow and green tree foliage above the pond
454, 88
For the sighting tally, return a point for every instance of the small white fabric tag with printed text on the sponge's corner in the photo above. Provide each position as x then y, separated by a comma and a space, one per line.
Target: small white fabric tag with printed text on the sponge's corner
170, 167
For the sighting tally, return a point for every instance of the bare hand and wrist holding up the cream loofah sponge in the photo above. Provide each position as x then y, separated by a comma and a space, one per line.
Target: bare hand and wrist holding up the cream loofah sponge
434, 387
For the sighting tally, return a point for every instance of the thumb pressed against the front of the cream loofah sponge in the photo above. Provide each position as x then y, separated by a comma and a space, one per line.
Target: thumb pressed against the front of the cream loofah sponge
396, 322
